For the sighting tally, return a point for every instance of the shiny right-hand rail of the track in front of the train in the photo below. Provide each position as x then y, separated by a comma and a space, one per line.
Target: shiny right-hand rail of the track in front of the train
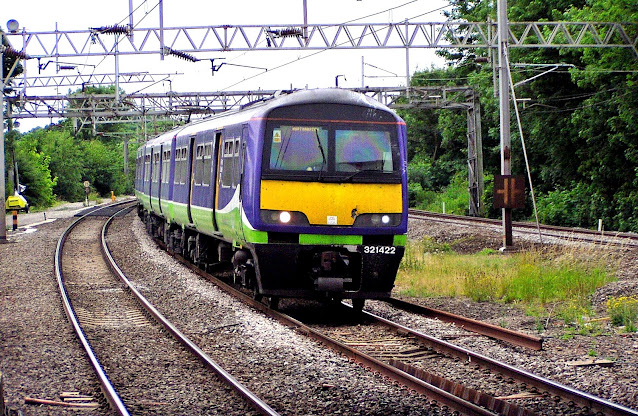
557, 389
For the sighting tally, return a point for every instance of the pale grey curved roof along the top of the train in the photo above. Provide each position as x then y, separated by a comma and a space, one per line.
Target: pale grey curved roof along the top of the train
262, 108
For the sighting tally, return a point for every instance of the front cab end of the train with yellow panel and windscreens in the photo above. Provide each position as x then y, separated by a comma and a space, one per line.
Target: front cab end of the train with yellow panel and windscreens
333, 202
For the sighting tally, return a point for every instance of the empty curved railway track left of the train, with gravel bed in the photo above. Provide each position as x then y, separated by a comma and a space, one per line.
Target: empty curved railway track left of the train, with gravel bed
139, 367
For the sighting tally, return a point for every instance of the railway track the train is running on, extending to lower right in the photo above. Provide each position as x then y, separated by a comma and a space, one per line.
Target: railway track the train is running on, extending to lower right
391, 351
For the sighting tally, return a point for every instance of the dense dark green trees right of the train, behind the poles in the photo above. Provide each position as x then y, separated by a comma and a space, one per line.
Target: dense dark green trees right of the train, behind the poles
580, 122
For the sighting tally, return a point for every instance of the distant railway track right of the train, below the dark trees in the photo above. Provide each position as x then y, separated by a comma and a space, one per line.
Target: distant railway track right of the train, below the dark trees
612, 238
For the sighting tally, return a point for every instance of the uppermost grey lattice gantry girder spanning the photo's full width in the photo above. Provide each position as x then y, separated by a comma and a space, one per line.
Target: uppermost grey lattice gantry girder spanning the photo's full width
222, 38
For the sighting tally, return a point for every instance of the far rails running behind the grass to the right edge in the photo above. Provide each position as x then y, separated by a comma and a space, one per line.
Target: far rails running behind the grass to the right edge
631, 239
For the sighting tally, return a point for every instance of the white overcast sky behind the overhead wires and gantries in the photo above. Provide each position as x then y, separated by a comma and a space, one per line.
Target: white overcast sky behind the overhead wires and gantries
316, 71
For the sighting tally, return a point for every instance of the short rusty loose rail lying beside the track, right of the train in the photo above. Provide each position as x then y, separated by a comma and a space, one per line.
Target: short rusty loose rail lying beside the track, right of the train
483, 328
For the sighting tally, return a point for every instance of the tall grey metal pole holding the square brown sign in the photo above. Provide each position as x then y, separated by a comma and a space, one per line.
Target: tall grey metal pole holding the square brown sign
504, 103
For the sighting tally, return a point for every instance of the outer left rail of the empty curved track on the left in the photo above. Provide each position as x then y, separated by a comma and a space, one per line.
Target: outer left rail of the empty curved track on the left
105, 385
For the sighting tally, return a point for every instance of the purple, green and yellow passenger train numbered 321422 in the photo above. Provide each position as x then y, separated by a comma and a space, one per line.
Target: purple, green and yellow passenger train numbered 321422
303, 195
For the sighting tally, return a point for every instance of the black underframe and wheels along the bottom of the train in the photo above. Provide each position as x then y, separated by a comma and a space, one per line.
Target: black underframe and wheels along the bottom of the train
279, 270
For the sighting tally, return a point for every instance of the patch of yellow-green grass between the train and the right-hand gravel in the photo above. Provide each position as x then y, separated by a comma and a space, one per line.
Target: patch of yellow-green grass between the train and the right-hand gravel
547, 283
